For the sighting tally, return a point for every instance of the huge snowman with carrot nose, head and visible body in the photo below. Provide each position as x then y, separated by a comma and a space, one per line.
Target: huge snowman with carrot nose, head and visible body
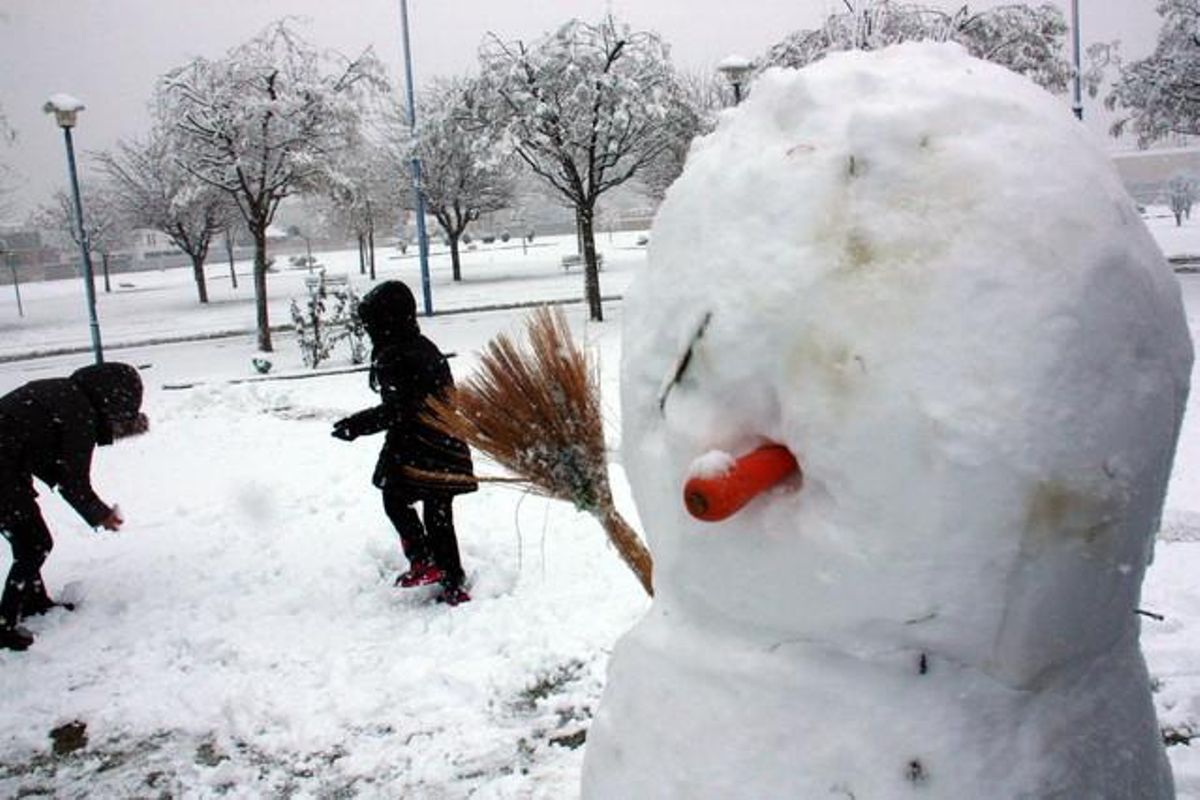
915, 274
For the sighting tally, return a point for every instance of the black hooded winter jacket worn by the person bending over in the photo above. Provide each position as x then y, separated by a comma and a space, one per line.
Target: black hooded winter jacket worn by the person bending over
50, 429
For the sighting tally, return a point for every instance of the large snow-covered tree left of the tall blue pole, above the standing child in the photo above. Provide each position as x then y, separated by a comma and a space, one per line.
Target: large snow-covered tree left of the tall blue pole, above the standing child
262, 123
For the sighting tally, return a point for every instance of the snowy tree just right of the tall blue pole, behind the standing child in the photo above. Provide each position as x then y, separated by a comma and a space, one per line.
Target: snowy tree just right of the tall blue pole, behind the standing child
466, 169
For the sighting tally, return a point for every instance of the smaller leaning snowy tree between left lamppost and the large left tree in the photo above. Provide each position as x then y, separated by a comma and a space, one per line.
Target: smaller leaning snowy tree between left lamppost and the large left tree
153, 190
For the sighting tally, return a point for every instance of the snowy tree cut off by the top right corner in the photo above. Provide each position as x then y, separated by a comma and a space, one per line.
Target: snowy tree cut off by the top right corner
1160, 95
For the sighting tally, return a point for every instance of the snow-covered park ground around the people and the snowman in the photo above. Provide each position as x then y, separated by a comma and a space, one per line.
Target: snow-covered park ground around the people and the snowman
242, 636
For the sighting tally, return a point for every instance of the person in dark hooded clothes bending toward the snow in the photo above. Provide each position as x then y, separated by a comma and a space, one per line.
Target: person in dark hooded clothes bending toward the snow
49, 430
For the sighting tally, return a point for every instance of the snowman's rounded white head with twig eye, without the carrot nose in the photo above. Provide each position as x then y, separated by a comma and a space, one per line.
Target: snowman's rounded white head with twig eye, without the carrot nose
917, 273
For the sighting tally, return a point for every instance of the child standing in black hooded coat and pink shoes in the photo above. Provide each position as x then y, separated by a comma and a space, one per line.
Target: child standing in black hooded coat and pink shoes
417, 462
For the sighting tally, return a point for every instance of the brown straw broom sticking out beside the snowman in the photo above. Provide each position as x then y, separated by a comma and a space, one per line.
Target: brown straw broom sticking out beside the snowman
536, 411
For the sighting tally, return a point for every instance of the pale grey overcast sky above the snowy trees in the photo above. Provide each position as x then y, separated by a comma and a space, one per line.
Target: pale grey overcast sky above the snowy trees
109, 53
